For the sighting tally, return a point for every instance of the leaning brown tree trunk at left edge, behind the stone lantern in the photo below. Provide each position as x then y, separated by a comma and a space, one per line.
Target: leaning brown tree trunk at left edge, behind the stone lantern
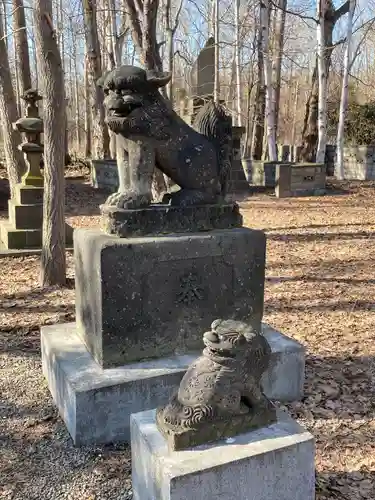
8, 115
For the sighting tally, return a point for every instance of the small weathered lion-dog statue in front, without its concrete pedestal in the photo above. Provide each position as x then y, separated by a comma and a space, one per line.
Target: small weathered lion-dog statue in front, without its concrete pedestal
220, 396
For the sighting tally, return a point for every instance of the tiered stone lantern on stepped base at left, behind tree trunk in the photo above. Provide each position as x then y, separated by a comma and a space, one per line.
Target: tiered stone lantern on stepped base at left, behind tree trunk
24, 228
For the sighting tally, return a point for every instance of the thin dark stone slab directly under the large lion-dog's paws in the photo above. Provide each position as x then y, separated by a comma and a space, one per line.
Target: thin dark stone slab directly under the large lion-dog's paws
164, 219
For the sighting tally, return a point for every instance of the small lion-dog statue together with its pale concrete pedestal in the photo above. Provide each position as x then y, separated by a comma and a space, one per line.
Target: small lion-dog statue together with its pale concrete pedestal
219, 436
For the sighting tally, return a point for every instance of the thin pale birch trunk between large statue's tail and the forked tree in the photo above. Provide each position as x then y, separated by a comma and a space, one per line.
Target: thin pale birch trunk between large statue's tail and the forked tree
270, 103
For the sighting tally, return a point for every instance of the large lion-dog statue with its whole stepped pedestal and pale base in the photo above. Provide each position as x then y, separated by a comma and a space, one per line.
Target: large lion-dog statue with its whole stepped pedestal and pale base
156, 275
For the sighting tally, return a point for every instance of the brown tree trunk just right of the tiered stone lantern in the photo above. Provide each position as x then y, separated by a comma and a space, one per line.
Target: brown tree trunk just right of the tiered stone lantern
53, 260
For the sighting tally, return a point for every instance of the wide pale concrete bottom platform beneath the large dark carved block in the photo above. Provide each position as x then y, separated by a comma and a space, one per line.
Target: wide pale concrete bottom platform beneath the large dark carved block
96, 403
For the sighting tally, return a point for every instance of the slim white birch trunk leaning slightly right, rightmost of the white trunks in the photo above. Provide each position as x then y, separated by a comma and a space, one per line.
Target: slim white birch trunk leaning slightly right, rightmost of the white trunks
339, 167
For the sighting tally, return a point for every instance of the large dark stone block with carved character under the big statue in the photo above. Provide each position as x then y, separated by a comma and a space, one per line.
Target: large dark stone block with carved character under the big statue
139, 298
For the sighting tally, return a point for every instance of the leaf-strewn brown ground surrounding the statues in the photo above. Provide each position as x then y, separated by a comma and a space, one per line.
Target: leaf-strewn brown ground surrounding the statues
319, 289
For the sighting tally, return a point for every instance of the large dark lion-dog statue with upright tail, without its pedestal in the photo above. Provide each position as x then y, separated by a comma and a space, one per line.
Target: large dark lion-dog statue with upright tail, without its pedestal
197, 160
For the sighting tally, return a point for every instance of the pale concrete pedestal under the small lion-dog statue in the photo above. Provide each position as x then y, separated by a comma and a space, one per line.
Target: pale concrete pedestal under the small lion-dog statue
271, 463
